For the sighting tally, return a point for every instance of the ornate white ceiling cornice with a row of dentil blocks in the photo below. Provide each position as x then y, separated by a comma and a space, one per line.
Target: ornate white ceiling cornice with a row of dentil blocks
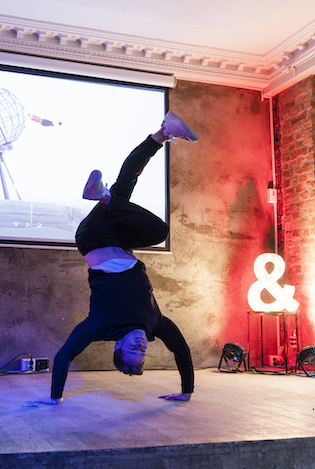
268, 74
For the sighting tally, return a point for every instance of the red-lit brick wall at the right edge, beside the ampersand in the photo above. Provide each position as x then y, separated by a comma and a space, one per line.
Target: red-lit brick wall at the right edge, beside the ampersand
294, 123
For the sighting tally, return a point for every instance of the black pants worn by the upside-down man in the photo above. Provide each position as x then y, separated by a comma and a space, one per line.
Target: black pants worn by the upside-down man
122, 223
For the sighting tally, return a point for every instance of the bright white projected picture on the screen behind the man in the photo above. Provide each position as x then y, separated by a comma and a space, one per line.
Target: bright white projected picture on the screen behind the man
53, 133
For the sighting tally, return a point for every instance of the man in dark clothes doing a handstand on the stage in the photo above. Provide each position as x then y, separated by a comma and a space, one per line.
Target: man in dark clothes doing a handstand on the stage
122, 305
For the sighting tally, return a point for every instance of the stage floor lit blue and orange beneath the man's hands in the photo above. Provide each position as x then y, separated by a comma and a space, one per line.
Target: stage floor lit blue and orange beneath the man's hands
111, 411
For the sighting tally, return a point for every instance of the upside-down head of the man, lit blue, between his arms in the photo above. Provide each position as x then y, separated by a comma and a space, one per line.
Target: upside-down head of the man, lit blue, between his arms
130, 351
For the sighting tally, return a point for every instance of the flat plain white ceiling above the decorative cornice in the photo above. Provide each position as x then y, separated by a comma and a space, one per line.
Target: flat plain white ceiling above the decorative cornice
252, 26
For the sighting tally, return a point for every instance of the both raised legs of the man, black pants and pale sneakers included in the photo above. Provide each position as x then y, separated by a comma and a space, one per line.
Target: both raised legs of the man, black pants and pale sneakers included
131, 226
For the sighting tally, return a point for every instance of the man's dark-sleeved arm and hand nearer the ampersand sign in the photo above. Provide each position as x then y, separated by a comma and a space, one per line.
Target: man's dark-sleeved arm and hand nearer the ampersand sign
175, 342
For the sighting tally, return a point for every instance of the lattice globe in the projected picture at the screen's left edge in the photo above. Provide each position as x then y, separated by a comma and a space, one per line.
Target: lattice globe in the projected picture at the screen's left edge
12, 119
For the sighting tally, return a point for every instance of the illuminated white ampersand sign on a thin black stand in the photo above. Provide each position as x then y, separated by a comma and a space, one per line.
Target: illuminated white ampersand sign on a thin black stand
284, 300
